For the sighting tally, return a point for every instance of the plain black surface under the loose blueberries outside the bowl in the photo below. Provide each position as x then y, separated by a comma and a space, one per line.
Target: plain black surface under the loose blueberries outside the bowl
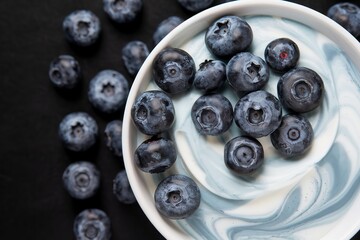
33, 202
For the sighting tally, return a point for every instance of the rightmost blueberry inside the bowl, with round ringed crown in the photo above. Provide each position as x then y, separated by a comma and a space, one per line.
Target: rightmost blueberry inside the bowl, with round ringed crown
300, 90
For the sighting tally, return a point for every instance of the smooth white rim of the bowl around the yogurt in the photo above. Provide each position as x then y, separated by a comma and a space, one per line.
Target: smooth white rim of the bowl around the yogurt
283, 9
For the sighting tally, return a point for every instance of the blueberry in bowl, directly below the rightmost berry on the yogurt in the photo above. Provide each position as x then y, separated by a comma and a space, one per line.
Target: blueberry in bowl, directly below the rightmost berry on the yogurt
293, 137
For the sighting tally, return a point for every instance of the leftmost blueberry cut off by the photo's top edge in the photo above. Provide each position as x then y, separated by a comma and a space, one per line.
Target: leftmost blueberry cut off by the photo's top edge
123, 11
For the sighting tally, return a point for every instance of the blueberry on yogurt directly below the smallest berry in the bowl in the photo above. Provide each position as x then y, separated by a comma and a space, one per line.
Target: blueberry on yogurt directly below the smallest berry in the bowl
212, 114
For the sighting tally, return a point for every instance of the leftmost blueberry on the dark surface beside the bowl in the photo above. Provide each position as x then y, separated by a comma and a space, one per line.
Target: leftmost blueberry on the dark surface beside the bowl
65, 72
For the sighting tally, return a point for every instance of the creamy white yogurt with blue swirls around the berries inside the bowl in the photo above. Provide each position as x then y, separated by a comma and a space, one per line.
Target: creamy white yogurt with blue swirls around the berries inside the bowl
287, 199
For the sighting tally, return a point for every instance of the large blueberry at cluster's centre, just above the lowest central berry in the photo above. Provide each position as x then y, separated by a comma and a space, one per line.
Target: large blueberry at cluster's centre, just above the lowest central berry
258, 113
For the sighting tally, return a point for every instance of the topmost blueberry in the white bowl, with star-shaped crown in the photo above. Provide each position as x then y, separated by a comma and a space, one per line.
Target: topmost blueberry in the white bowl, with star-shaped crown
228, 36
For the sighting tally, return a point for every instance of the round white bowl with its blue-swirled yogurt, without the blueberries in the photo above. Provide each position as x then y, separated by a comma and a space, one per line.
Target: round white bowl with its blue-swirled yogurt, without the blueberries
317, 197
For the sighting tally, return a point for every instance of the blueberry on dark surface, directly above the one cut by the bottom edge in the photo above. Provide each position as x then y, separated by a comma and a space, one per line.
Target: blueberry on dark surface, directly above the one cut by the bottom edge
81, 179
